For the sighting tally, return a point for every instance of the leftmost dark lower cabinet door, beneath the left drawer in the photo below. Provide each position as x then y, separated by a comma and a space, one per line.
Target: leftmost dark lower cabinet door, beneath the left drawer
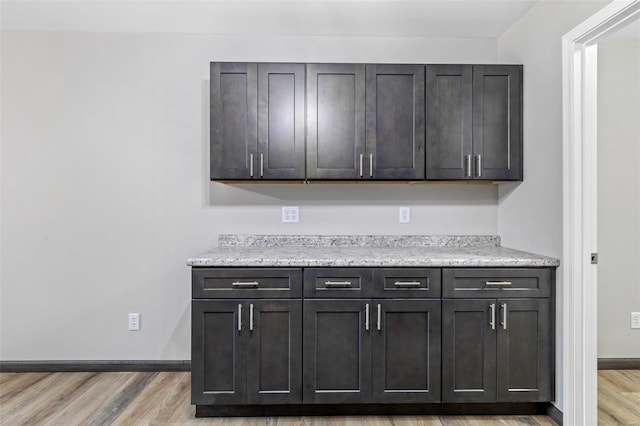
218, 352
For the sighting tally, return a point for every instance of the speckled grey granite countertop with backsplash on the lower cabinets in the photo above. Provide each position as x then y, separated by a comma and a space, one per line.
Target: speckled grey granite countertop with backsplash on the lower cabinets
366, 251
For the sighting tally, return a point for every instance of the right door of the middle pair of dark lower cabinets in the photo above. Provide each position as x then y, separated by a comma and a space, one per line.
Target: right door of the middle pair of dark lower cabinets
406, 351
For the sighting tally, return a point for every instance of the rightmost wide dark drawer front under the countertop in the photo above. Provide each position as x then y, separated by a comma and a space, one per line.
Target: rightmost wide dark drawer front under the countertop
499, 282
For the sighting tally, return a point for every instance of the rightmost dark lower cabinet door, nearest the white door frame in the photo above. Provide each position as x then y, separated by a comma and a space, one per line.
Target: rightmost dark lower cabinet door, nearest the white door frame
525, 363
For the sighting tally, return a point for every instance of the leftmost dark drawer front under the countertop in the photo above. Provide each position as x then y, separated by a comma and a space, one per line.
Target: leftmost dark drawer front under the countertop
214, 283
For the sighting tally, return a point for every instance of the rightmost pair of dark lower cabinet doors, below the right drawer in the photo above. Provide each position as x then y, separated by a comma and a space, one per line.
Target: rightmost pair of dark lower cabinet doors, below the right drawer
496, 350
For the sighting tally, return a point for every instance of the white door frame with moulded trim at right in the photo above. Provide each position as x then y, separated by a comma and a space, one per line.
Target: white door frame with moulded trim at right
579, 85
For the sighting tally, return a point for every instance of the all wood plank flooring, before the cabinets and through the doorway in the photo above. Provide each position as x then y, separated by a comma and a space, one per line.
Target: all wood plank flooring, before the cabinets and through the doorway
164, 399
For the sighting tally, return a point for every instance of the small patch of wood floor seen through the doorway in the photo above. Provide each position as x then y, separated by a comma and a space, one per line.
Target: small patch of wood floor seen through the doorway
619, 397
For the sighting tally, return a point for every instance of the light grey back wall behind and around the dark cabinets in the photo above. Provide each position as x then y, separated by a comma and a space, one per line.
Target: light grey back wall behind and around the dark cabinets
105, 193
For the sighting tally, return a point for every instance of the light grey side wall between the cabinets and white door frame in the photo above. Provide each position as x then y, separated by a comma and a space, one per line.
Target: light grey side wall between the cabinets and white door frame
530, 213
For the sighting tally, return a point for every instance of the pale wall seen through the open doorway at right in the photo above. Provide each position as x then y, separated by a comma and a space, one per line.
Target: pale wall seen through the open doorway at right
618, 197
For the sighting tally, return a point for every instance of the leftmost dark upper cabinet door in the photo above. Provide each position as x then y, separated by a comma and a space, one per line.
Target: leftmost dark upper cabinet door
233, 120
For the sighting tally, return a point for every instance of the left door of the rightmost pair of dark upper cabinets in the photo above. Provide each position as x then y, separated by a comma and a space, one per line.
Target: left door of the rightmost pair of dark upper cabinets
449, 143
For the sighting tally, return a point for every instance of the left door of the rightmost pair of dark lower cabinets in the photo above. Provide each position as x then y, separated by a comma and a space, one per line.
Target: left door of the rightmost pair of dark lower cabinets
469, 350
